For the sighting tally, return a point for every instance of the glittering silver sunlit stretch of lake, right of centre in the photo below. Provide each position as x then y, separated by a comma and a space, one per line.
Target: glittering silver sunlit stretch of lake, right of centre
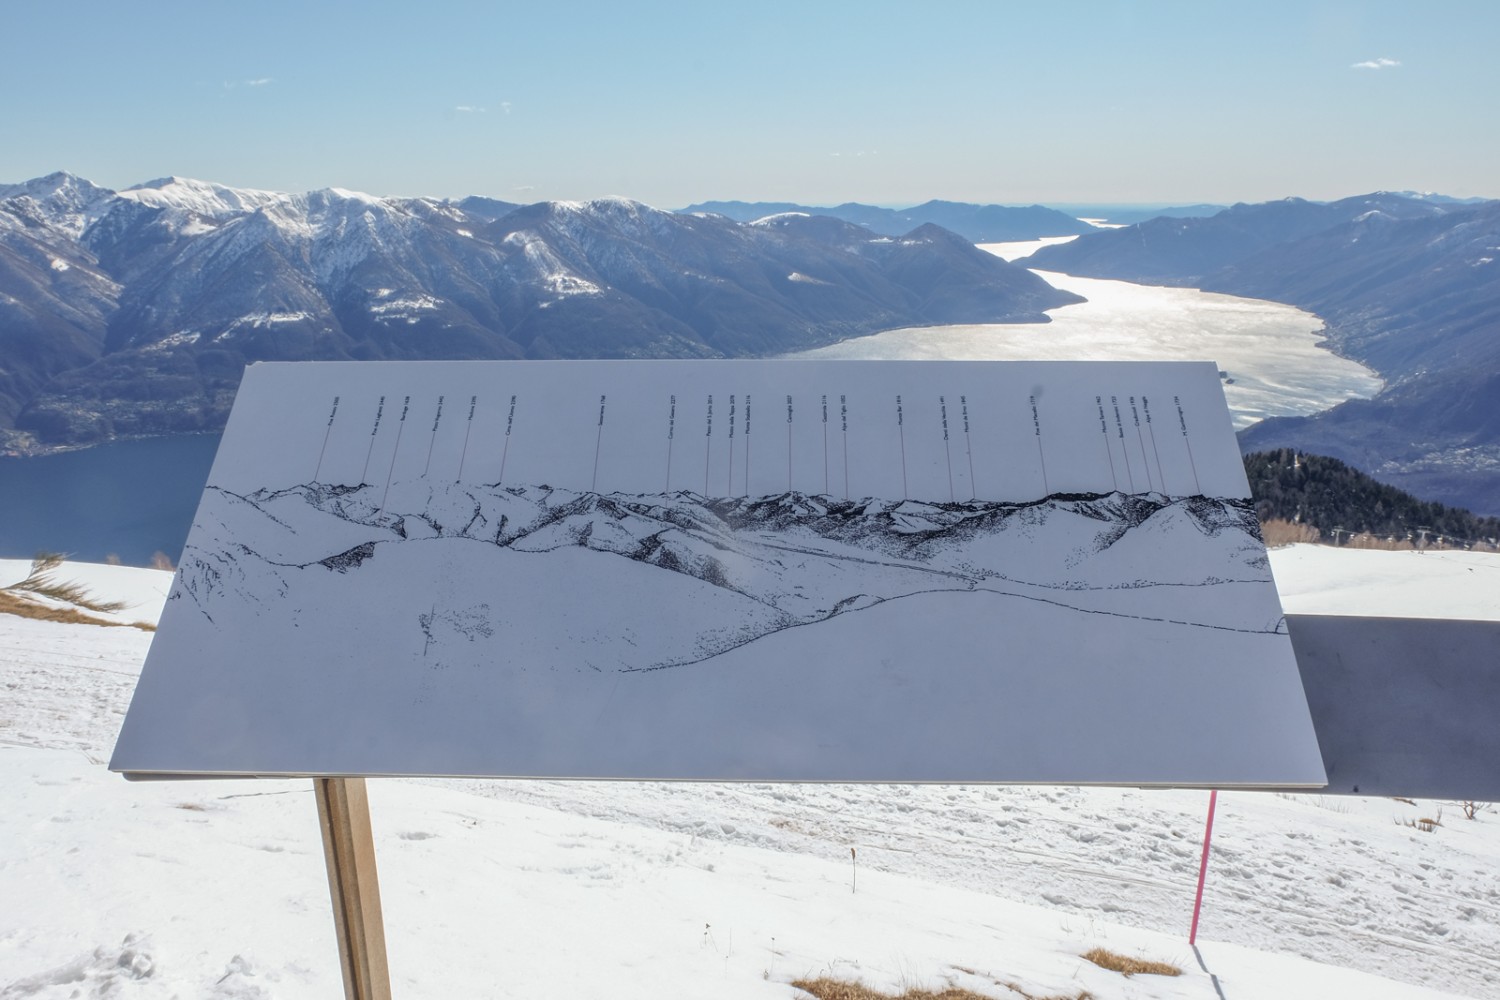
1270, 350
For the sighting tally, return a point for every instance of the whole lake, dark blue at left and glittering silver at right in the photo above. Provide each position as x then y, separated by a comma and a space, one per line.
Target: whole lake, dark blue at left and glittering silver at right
136, 499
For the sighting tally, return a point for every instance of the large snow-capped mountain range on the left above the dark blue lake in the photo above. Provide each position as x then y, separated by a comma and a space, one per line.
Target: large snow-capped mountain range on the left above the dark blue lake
134, 313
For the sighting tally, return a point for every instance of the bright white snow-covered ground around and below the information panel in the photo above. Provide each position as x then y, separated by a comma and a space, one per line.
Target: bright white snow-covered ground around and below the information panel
494, 890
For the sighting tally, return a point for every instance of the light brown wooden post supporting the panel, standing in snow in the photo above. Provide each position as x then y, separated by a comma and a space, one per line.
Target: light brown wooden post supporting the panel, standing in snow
349, 849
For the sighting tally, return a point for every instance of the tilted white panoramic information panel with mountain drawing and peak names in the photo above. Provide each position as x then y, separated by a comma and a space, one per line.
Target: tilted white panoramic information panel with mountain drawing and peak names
727, 570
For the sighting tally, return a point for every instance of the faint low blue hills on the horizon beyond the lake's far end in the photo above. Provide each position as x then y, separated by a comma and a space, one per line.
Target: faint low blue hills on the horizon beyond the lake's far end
977, 224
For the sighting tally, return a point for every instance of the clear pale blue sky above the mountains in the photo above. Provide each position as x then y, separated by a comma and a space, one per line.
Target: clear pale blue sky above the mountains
815, 103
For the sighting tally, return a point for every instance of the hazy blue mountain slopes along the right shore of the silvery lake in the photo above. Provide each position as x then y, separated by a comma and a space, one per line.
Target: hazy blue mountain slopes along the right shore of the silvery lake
1406, 286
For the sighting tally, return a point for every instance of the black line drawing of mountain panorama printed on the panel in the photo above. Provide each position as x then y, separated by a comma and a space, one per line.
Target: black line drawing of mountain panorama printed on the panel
674, 579
